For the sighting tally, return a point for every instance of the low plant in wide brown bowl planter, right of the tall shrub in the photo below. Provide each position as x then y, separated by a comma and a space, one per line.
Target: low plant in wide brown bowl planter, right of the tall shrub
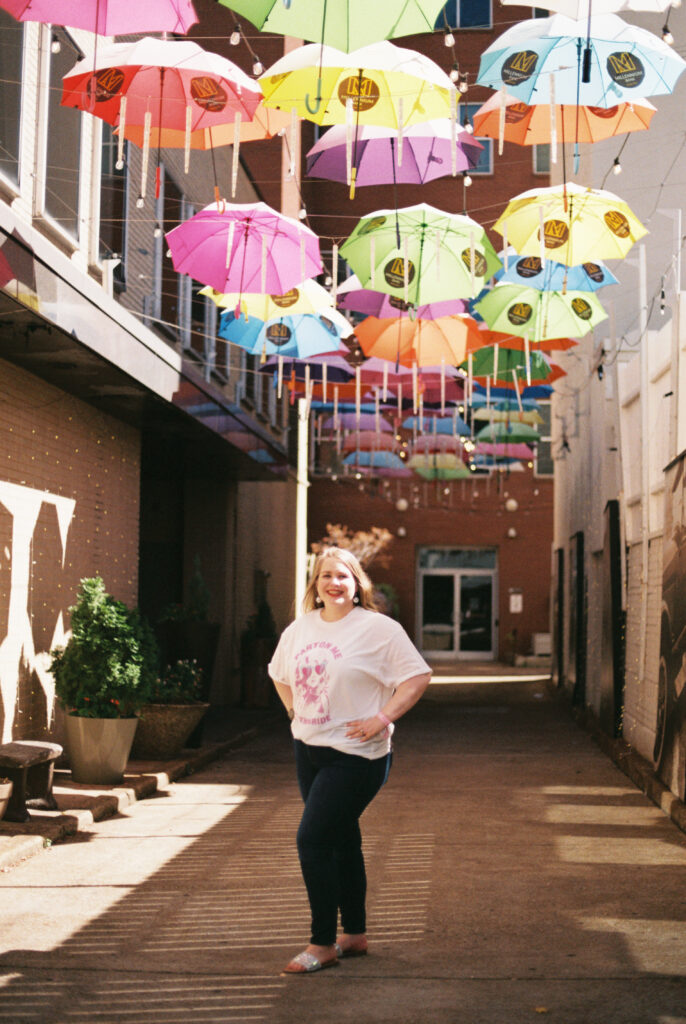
175, 710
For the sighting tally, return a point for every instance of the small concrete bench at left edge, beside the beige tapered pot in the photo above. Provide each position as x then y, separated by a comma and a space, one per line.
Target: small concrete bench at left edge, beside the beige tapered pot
30, 764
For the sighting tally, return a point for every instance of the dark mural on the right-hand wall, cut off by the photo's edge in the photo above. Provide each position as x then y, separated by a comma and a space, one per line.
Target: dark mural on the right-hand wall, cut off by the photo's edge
670, 749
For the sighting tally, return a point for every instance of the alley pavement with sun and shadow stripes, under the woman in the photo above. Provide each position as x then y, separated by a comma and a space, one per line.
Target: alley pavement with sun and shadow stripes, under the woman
516, 875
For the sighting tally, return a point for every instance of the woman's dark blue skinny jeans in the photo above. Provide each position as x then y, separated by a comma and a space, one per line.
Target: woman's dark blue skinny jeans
336, 789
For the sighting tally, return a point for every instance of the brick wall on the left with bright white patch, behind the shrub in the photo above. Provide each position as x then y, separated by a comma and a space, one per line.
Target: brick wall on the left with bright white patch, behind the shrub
69, 509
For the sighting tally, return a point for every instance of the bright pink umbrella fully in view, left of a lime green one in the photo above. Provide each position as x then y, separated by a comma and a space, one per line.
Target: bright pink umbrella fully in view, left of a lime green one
245, 248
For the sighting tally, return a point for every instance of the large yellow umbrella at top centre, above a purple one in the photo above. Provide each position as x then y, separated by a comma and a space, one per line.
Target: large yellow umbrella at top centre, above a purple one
381, 84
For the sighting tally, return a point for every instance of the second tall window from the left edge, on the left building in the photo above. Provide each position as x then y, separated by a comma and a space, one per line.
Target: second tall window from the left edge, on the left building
64, 143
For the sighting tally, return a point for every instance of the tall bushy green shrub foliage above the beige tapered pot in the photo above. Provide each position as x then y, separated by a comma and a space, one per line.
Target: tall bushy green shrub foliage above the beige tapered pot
110, 664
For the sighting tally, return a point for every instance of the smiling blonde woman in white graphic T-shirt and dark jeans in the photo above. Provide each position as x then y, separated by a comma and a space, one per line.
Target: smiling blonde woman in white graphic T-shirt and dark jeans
346, 674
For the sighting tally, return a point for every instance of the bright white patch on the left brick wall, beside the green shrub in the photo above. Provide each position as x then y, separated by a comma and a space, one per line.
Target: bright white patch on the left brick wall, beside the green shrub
30, 625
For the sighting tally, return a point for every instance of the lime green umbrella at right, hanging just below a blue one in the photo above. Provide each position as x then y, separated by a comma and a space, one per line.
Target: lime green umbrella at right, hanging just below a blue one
540, 316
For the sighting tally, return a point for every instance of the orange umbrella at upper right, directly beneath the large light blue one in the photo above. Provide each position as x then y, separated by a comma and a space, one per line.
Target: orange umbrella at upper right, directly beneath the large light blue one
533, 125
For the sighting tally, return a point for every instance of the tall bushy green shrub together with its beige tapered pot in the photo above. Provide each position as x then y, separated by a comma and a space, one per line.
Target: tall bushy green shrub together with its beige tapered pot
103, 676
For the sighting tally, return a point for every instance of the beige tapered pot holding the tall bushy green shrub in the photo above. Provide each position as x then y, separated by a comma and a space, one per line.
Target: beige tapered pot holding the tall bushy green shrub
99, 748
